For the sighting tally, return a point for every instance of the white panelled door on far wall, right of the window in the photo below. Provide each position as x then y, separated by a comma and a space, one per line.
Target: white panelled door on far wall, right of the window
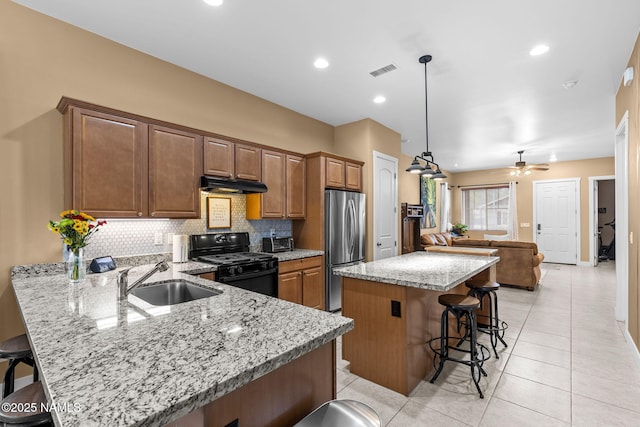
556, 220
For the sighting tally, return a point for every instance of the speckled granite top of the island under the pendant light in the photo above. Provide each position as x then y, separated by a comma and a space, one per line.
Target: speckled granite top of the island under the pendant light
425, 270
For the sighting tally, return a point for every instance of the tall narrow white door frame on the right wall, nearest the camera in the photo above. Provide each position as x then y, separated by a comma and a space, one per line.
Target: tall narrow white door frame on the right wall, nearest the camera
621, 142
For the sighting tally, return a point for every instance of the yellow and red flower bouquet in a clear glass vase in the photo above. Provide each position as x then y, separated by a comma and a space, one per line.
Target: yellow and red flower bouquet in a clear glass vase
75, 228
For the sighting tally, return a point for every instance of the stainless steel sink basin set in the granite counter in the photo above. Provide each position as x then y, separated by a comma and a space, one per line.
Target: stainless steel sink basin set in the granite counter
170, 292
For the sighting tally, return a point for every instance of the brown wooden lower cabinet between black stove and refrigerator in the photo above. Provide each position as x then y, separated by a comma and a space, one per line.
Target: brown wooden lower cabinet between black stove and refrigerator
302, 281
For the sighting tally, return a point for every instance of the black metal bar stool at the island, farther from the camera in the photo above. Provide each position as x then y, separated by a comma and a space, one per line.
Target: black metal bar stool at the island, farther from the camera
491, 324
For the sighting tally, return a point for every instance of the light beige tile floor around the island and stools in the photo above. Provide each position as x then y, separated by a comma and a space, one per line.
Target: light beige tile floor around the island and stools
567, 364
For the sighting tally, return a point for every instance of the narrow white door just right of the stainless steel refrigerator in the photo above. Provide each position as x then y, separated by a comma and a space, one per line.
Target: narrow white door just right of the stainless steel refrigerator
385, 206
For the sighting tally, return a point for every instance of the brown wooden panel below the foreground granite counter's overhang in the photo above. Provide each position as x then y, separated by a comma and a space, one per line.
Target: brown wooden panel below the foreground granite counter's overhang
280, 398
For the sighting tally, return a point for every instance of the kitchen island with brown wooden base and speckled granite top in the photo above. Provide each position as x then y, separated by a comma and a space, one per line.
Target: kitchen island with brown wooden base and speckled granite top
394, 303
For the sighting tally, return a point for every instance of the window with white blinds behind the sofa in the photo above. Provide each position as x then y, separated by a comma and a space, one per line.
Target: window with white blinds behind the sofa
486, 208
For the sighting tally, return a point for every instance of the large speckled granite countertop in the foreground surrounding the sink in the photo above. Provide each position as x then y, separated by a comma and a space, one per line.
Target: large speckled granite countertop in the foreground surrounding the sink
129, 363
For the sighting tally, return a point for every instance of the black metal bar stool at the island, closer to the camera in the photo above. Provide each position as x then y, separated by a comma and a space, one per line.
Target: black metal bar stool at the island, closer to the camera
463, 307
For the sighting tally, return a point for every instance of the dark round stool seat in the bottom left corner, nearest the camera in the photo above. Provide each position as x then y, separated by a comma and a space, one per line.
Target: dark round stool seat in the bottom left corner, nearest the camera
25, 407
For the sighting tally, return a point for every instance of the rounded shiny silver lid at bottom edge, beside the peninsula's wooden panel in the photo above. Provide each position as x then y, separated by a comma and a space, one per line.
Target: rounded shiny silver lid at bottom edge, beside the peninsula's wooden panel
343, 413
